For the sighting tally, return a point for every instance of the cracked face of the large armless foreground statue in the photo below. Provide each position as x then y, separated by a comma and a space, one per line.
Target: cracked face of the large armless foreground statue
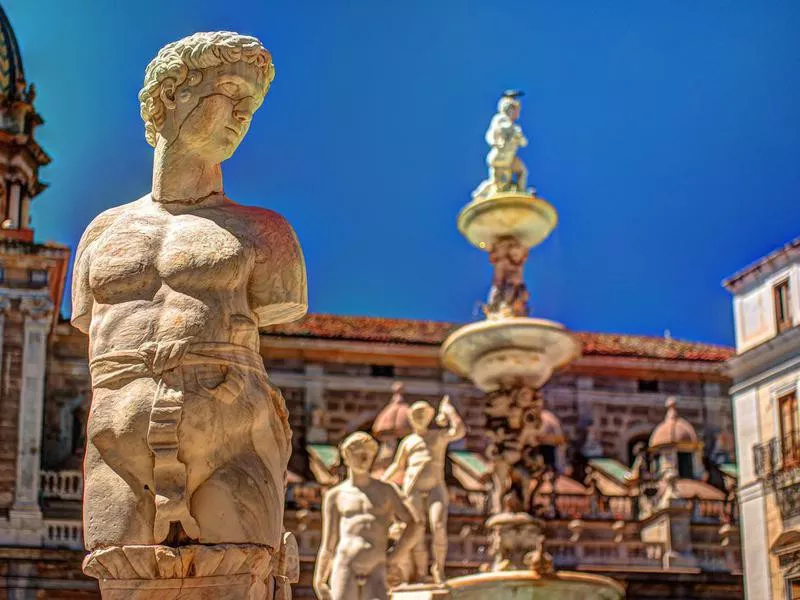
211, 117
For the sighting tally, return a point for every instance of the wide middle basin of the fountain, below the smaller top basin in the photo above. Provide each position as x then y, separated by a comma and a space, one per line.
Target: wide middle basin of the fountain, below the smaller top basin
507, 352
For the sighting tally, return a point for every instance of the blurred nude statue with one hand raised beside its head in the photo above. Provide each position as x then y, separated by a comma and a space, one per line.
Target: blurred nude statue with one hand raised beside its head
422, 456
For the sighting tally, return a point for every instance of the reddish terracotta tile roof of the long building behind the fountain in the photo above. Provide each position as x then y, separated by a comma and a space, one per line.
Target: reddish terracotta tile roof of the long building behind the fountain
411, 331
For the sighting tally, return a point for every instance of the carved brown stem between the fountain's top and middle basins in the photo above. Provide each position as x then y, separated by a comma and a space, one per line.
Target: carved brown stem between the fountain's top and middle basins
508, 296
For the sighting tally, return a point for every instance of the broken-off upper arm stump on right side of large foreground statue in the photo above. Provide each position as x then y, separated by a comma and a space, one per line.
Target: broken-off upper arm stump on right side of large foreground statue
278, 291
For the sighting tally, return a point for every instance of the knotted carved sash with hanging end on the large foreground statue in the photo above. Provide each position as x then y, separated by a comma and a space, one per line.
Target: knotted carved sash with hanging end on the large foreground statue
164, 362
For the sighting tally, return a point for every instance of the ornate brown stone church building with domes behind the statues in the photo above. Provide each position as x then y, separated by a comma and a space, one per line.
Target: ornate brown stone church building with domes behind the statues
627, 404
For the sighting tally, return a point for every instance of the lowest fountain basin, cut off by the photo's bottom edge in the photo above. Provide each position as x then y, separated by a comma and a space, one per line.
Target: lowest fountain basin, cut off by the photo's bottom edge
526, 585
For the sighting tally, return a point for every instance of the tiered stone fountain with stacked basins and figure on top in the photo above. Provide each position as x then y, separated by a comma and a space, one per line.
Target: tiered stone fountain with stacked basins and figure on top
510, 356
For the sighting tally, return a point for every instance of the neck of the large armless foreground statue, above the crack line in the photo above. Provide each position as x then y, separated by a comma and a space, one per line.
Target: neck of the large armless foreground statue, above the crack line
182, 177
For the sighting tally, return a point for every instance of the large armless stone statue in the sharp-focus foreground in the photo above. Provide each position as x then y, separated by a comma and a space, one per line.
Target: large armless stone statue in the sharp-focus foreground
188, 441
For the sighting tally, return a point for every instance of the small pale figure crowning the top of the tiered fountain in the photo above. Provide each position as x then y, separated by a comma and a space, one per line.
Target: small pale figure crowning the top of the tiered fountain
506, 171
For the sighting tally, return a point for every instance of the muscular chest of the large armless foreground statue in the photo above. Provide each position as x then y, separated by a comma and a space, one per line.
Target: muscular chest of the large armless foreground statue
140, 251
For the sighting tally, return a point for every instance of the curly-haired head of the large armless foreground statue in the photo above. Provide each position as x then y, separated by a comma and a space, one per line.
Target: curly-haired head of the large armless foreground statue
200, 92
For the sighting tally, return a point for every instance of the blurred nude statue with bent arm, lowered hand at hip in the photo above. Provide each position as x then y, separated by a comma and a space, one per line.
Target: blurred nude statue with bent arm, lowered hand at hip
356, 516
